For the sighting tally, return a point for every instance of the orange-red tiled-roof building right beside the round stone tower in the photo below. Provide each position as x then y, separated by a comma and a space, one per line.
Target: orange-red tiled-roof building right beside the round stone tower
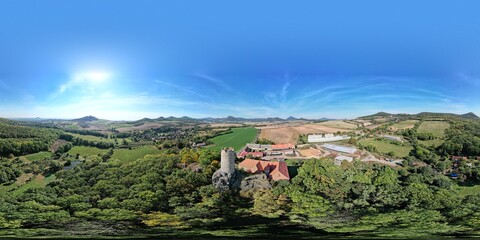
275, 170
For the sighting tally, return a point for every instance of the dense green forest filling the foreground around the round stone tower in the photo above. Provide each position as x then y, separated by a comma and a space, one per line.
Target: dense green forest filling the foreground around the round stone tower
173, 191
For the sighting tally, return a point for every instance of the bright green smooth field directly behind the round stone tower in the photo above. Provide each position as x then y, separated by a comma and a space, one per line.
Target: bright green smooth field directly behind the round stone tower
237, 139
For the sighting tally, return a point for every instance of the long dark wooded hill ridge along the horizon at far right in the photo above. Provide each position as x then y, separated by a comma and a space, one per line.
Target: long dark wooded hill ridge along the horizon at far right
469, 115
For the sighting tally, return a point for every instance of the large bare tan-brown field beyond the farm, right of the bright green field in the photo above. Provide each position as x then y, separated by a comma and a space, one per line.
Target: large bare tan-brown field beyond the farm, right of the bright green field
290, 134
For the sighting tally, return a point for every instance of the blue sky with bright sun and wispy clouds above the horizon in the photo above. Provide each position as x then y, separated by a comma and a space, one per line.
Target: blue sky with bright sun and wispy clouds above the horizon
339, 59
